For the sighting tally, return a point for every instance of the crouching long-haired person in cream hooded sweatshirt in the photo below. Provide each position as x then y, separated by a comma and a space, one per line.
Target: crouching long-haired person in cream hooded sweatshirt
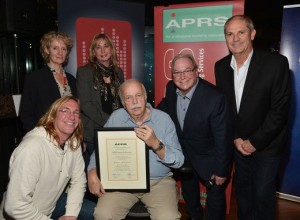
48, 158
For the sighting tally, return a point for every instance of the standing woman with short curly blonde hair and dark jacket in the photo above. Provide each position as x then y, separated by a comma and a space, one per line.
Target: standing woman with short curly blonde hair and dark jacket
49, 83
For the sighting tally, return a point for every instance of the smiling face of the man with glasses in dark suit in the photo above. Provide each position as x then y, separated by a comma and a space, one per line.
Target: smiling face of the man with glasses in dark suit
184, 74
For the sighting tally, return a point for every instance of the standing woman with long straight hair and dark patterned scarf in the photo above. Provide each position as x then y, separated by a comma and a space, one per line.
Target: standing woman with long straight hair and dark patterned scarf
98, 83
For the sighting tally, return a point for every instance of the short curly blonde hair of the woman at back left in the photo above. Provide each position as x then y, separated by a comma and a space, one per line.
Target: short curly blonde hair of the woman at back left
48, 38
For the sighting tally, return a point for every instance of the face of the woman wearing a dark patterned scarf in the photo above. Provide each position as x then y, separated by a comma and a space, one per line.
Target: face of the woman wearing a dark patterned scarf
103, 51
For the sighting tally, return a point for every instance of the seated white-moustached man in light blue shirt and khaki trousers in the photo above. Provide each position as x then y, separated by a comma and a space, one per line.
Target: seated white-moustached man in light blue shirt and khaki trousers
157, 130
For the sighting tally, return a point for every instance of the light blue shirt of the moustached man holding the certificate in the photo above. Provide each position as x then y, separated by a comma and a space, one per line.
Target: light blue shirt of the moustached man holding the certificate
164, 130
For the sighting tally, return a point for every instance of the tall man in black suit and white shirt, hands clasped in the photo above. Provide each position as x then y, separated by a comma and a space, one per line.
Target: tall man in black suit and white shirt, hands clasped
258, 85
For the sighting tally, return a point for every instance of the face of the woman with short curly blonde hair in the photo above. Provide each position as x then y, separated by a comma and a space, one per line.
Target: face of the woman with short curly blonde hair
57, 52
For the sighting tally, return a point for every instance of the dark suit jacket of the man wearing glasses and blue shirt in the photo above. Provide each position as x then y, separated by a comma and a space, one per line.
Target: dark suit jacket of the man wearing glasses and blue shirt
206, 138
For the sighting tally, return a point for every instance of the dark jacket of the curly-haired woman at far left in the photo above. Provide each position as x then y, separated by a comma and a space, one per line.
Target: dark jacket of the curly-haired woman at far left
40, 91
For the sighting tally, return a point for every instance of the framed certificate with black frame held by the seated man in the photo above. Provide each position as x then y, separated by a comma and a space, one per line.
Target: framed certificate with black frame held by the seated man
122, 160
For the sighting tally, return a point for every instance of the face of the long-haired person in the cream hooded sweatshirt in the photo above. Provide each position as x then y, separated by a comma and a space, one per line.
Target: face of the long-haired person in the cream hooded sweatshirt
67, 119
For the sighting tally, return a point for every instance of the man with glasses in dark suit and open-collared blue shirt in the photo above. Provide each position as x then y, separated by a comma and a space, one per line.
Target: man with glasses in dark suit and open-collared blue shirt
204, 127
